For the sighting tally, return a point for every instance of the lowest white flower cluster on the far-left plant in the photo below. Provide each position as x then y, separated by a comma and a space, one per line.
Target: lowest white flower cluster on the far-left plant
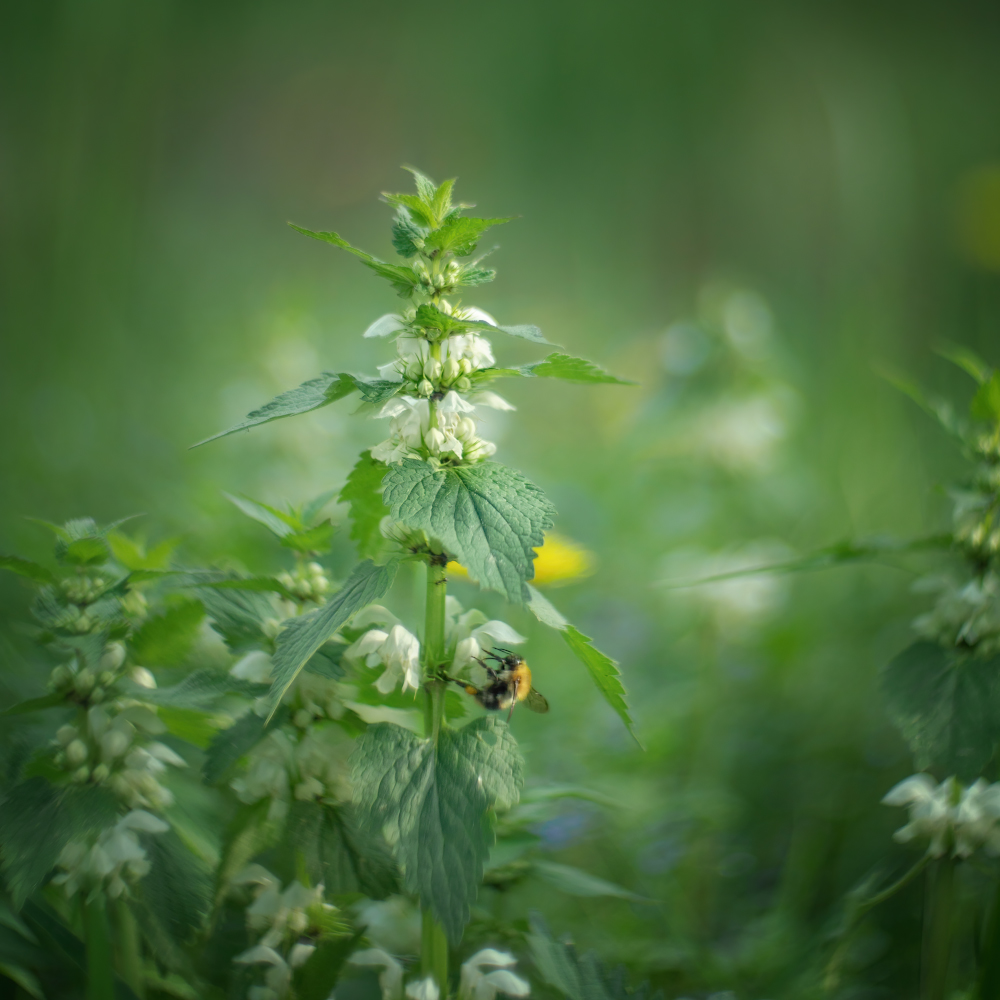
111, 861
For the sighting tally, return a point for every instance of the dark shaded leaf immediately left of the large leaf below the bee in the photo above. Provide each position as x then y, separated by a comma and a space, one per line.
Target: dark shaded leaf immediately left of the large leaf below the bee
337, 854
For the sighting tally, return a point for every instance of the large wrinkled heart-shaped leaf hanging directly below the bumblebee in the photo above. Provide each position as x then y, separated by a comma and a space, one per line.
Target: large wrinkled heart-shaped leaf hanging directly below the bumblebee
431, 805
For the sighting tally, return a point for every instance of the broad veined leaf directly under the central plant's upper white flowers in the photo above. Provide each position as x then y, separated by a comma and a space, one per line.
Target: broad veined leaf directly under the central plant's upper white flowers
489, 517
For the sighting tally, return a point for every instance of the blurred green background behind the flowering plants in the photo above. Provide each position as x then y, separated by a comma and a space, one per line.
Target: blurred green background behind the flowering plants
749, 208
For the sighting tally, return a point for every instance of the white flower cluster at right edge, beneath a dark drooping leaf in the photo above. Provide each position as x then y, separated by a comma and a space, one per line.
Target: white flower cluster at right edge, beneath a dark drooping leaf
956, 819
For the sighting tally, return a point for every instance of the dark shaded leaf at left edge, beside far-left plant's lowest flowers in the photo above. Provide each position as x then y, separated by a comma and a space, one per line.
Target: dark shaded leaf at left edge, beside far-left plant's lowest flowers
37, 820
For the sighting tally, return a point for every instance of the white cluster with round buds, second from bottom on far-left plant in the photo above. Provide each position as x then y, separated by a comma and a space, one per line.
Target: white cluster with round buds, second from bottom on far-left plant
111, 746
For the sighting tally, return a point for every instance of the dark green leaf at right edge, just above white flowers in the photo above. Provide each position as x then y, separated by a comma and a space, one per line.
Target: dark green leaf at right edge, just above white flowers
946, 705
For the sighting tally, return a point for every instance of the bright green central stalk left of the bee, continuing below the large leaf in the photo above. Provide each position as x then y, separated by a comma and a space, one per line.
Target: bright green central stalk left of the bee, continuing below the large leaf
434, 943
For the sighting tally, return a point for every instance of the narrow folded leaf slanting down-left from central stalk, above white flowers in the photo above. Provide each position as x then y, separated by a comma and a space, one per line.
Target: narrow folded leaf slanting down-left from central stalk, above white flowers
302, 636
